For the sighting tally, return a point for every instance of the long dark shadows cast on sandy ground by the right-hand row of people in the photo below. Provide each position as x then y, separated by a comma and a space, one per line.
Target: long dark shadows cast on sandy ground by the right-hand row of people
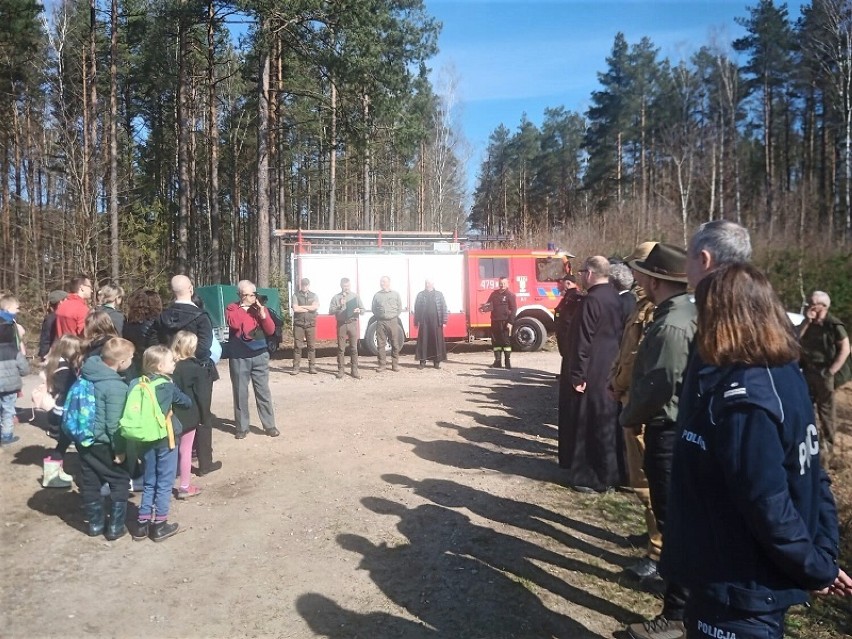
505, 571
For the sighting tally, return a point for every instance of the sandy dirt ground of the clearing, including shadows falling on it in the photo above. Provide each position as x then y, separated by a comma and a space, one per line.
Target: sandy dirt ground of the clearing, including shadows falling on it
423, 503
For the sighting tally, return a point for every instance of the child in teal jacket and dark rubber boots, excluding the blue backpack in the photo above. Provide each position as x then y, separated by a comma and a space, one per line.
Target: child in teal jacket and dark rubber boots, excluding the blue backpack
101, 461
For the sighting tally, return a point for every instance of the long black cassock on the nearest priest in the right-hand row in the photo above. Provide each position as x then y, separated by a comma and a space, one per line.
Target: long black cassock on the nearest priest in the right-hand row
588, 427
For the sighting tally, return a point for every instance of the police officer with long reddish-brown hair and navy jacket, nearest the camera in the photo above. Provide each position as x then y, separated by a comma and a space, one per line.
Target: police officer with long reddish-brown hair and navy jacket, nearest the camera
752, 523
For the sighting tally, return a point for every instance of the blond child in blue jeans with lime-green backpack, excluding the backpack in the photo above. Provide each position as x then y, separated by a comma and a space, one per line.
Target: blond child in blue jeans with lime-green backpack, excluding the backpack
160, 458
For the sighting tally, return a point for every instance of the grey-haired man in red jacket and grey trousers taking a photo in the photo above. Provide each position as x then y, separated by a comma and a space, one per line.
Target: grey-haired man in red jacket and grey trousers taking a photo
249, 324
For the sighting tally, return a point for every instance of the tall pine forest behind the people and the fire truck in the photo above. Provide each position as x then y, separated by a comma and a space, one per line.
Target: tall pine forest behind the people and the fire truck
143, 137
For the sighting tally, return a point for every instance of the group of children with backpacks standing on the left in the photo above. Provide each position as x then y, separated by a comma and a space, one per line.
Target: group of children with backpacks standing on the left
95, 367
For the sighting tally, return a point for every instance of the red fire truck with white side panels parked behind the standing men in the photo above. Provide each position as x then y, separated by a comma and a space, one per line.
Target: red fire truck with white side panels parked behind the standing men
464, 273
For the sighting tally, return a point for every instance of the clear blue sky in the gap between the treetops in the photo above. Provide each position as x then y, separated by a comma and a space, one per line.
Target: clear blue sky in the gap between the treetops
511, 57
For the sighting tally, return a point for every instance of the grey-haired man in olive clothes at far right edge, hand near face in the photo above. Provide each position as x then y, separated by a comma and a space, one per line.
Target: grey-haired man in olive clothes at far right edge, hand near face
825, 364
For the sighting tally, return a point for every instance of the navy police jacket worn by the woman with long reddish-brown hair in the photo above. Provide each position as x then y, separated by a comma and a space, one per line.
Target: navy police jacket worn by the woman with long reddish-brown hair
751, 520
